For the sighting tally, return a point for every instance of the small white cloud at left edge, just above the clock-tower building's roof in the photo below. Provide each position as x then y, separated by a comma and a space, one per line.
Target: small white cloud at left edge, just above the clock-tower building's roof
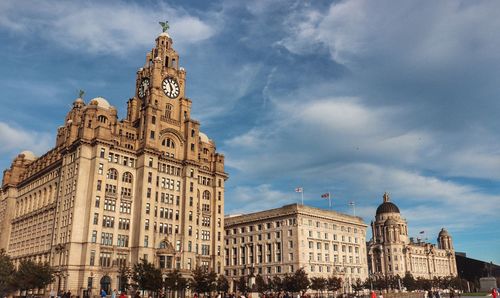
13, 140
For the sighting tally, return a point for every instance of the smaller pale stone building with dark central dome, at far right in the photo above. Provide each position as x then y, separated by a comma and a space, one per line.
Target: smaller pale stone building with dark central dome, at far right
392, 252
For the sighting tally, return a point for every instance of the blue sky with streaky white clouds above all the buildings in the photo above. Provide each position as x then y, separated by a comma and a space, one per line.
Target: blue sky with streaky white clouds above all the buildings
353, 97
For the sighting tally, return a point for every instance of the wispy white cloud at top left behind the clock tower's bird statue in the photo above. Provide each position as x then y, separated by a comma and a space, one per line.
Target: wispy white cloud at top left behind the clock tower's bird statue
101, 27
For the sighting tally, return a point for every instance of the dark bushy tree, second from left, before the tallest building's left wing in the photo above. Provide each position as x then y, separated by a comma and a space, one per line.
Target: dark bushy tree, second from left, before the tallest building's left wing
31, 275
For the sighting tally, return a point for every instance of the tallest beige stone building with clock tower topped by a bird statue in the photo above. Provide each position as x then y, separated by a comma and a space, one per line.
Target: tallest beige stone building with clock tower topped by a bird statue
112, 192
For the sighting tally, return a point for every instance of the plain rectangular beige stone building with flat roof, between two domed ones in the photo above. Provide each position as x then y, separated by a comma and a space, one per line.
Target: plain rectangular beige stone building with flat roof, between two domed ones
282, 240
